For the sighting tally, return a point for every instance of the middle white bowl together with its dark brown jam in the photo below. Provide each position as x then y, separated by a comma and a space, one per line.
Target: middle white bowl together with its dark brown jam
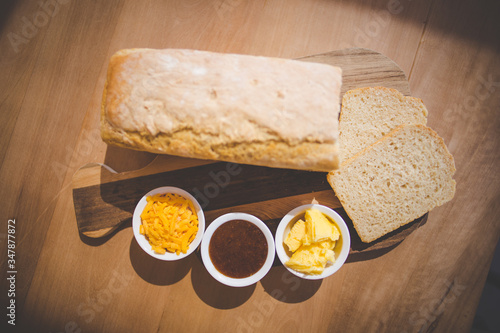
237, 249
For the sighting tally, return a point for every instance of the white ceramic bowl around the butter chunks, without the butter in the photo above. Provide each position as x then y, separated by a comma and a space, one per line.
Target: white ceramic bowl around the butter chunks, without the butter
341, 249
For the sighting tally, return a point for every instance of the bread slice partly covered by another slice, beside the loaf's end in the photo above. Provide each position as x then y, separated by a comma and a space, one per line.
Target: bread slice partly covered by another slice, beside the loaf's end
368, 114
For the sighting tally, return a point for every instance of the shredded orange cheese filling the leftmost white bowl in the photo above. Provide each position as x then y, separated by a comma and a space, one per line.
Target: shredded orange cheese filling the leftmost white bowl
169, 222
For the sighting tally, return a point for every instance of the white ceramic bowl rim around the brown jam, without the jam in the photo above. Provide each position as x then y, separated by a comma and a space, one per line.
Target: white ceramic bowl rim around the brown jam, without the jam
235, 282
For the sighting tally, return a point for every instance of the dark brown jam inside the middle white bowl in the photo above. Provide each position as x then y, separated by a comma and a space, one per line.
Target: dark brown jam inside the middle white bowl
238, 249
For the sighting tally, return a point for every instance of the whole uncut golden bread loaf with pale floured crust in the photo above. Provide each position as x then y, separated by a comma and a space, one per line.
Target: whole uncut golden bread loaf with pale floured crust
238, 108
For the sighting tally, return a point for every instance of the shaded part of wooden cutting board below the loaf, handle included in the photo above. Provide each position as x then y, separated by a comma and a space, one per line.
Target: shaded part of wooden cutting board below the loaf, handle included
103, 204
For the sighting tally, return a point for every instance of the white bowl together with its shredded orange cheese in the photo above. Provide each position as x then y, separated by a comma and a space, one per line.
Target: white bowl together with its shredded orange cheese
168, 223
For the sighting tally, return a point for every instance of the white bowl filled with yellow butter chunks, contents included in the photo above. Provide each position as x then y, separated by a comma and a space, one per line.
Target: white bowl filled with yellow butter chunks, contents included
312, 241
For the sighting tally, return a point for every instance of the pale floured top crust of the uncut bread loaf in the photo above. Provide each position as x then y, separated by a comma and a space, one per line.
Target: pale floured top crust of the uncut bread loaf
238, 97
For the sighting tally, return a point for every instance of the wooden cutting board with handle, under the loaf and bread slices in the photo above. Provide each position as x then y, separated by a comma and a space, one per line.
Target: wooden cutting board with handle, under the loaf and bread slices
105, 200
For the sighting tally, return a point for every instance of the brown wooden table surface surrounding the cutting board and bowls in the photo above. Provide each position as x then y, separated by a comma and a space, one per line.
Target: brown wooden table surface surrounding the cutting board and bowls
54, 55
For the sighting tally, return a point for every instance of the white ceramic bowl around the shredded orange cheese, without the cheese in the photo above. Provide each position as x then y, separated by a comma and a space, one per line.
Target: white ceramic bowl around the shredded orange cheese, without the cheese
142, 240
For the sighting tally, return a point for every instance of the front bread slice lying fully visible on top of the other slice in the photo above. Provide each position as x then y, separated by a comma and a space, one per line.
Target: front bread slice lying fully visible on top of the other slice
395, 181
